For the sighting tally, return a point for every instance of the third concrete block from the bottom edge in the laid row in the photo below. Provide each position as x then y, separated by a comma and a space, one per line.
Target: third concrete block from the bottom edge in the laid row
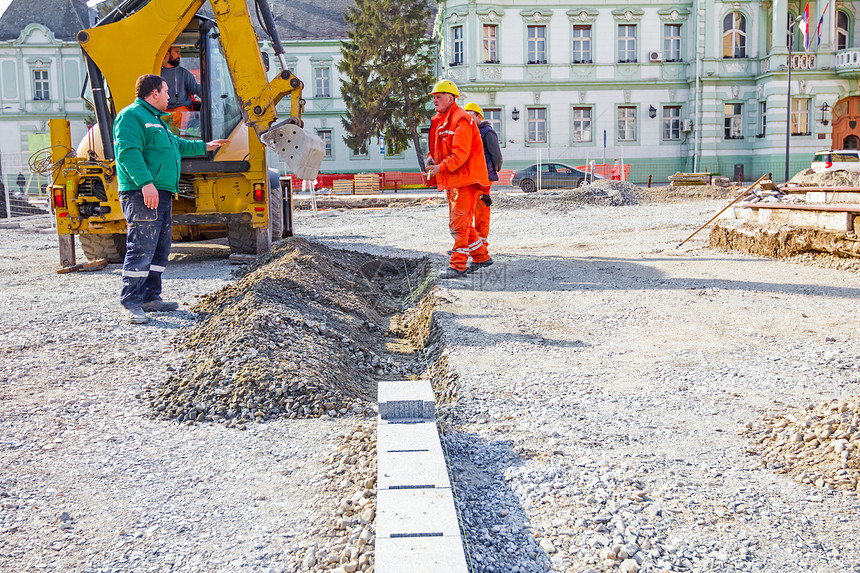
411, 468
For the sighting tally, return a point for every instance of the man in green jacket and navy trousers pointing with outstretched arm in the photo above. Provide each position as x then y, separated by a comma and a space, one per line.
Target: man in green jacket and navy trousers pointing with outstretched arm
147, 165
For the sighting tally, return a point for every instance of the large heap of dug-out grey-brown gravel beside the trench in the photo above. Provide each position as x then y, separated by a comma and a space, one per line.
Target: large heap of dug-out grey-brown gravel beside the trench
302, 334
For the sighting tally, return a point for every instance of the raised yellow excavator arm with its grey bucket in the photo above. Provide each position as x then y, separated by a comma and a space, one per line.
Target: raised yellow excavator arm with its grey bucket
134, 38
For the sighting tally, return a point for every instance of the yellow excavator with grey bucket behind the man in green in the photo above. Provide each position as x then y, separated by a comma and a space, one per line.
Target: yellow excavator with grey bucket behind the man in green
231, 191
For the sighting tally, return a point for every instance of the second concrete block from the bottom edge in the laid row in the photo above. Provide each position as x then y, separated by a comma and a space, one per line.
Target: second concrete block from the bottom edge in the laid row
410, 512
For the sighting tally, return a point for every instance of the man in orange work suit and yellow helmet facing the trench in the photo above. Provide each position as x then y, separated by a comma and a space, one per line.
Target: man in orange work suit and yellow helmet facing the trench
456, 161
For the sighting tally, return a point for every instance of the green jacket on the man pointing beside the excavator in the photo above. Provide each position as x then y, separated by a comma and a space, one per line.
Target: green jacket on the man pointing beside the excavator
147, 151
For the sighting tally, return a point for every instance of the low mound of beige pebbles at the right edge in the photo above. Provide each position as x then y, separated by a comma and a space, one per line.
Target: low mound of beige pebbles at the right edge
820, 448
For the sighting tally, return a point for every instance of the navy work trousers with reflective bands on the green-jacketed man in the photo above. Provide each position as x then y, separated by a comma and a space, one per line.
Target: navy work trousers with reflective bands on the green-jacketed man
147, 247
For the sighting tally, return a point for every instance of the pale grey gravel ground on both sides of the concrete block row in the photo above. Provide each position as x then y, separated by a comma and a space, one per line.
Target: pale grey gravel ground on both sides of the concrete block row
606, 383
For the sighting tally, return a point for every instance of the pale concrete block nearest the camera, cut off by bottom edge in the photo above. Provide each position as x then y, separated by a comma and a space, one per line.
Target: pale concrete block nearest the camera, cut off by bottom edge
420, 555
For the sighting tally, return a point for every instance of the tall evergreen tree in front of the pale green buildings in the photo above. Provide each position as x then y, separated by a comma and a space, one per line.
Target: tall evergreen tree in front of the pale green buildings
387, 67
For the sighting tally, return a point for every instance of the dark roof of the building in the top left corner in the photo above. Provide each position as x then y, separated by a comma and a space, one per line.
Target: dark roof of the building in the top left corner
63, 17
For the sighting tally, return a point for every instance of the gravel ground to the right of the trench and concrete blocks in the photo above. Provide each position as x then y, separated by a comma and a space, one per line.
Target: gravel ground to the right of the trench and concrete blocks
606, 381
